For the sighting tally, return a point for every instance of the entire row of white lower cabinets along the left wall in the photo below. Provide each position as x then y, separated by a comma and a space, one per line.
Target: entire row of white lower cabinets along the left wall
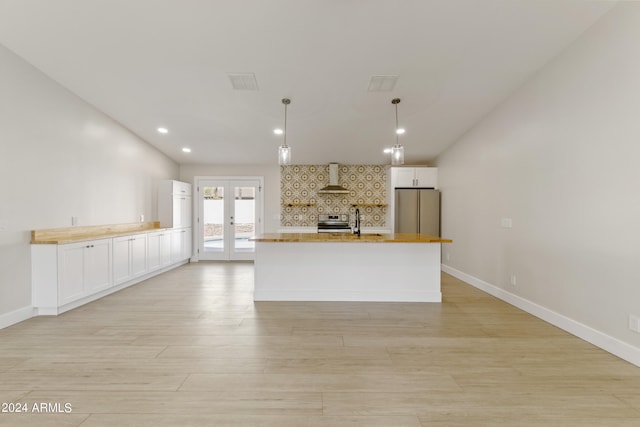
65, 276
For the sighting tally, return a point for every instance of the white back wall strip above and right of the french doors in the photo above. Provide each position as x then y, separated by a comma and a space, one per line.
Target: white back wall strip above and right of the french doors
270, 172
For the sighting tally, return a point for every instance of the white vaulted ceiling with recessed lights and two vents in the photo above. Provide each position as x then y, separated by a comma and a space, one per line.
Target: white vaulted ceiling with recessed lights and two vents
150, 63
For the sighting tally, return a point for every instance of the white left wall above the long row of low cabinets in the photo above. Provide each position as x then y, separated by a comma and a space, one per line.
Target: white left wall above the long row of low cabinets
60, 157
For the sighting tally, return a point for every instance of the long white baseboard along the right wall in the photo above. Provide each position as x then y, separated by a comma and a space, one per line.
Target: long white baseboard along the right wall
608, 343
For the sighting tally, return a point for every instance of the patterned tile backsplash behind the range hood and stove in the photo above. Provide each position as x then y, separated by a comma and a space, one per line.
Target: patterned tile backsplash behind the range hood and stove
301, 203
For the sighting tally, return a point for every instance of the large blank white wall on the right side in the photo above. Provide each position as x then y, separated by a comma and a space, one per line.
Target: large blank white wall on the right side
561, 158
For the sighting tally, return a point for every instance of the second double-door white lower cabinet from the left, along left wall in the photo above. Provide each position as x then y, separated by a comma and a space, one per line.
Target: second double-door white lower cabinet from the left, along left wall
129, 257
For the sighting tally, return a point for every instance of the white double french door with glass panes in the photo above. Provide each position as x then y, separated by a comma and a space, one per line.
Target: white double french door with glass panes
229, 214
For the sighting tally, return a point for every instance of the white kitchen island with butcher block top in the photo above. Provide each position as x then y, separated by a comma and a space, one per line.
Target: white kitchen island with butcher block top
346, 267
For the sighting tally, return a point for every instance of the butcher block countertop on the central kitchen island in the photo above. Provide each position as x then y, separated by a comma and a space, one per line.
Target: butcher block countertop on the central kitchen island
348, 238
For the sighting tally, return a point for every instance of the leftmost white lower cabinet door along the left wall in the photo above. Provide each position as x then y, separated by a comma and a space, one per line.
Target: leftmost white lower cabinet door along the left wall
70, 272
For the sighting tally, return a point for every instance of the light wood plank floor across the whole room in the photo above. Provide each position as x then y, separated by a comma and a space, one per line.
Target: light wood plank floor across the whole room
190, 348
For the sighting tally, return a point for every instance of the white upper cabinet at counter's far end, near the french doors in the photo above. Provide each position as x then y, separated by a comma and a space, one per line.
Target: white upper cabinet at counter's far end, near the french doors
174, 204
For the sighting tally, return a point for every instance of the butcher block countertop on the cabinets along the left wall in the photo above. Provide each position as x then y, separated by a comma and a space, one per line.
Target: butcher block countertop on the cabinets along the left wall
56, 236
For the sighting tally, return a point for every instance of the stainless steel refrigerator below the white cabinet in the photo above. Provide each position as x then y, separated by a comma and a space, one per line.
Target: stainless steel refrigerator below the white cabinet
417, 210
